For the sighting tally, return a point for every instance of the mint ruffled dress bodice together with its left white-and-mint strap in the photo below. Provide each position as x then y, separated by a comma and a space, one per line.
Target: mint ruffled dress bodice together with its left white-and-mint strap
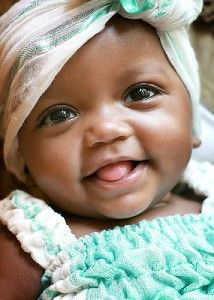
168, 258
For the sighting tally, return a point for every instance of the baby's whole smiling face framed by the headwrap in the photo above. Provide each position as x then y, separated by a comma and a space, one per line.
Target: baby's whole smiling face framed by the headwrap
112, 135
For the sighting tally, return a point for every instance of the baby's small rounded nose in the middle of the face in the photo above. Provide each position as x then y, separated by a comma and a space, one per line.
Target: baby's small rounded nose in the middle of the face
106, 128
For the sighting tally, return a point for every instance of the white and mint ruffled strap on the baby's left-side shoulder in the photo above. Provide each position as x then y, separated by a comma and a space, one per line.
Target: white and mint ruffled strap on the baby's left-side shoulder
39, 235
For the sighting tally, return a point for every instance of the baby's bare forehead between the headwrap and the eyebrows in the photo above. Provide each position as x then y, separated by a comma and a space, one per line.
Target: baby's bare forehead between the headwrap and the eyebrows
131, 44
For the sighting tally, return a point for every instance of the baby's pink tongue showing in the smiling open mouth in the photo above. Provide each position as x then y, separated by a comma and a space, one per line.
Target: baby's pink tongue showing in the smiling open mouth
115, 171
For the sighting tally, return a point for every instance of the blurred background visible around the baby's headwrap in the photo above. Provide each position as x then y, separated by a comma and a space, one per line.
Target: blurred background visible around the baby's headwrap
202, 36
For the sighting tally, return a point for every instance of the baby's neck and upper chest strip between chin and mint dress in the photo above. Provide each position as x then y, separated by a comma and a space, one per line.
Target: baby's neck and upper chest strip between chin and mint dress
172, 205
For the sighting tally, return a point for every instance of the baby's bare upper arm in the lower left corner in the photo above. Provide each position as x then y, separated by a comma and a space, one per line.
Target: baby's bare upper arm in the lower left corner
19, 274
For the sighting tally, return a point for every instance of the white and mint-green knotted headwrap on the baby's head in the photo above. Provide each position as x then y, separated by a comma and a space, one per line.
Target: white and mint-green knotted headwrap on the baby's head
37, 37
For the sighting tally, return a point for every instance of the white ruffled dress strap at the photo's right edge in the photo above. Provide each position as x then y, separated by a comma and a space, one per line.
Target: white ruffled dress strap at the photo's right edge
200, 177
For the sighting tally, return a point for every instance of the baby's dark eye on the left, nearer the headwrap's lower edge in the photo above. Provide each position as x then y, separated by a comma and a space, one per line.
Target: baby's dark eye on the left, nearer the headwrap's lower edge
57, 114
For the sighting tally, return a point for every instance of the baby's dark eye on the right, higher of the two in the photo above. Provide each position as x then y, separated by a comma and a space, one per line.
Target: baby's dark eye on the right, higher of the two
141, 92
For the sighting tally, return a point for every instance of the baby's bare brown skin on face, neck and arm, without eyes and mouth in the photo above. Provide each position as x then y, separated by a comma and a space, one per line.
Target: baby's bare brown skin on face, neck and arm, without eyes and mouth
157, 129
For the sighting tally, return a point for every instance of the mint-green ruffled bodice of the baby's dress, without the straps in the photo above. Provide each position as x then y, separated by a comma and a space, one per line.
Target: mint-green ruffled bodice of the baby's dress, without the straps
168, 258
